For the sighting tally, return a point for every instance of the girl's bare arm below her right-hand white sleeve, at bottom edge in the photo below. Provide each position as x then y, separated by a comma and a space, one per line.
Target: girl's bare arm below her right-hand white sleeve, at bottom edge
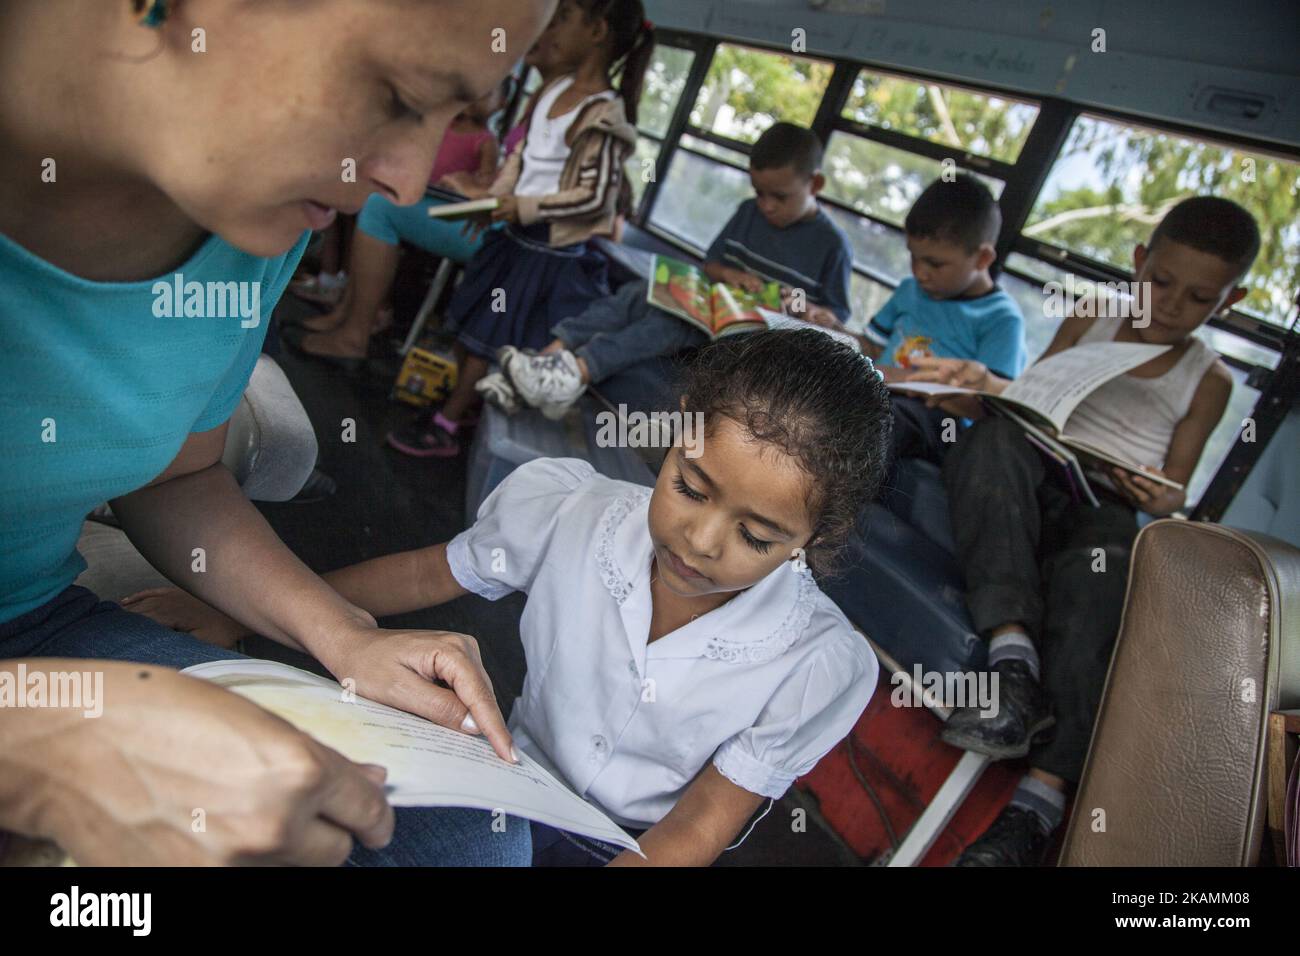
703, 825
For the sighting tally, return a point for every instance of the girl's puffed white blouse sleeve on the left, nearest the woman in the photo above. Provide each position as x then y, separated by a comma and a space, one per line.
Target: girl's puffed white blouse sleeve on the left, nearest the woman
513, 533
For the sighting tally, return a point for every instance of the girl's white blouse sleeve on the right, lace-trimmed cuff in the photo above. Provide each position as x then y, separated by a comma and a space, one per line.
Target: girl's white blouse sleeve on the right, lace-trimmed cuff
811, 712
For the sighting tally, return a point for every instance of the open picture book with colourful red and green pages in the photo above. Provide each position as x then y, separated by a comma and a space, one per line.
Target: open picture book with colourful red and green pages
716, 309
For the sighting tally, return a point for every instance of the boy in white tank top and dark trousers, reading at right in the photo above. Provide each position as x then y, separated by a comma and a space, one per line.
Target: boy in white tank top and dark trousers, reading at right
1035, 585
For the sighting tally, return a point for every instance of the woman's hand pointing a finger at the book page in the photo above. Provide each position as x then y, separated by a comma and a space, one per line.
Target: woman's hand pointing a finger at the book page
400, 669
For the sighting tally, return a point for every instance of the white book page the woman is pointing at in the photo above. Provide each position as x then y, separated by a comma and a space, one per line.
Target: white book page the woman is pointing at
428, 765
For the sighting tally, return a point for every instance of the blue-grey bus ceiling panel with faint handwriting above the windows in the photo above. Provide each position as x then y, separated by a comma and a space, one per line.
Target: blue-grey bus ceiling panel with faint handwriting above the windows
1201, 63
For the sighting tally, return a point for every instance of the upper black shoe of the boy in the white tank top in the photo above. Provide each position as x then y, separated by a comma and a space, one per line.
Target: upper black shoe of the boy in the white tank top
1024, 715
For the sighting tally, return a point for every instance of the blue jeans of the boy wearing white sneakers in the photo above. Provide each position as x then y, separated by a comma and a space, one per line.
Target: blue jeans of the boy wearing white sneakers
622, 330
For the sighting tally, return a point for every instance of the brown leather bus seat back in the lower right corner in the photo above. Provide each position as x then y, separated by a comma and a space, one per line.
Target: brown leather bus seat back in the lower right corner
1210, 644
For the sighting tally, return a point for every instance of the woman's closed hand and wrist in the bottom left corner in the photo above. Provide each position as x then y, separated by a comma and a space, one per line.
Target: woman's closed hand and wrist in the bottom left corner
177, 772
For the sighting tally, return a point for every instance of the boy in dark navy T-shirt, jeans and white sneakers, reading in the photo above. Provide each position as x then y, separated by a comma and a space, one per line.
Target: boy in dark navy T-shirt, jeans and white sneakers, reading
782, 236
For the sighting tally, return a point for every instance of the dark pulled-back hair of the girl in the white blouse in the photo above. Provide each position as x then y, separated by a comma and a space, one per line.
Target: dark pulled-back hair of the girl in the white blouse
817, 400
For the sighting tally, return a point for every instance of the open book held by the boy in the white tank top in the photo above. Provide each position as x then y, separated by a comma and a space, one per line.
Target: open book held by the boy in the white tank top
1043, 399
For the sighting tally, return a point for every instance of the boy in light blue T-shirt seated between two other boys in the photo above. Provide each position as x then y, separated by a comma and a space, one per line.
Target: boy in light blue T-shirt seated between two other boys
950, 308
